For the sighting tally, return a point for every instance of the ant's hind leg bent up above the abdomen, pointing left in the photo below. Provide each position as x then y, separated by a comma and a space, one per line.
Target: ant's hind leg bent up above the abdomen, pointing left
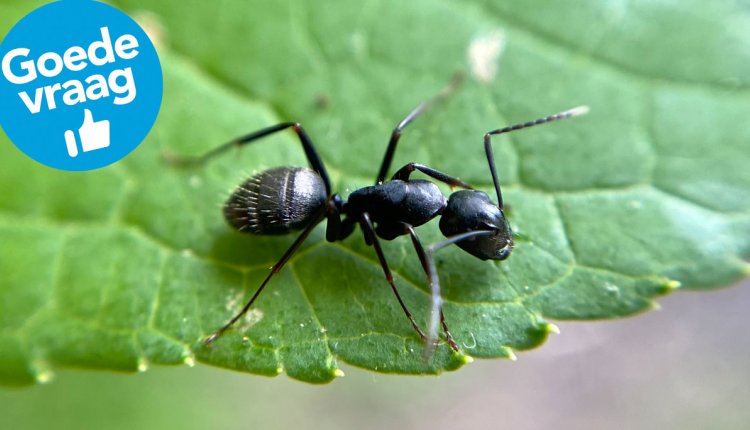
312, 155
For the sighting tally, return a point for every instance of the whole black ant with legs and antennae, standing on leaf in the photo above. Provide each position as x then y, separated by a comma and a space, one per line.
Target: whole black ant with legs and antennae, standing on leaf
282, 199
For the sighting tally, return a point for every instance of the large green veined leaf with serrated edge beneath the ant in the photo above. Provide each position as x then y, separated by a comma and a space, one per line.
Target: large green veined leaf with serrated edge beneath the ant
133, 265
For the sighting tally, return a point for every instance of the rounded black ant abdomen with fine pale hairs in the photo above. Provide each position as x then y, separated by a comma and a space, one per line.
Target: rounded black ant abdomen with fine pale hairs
276, 201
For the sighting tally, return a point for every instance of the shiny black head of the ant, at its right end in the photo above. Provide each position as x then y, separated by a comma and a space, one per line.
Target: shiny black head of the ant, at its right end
471, 210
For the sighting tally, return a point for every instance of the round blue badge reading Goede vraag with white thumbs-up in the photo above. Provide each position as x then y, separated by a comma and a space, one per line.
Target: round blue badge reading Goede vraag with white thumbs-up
80, 86
